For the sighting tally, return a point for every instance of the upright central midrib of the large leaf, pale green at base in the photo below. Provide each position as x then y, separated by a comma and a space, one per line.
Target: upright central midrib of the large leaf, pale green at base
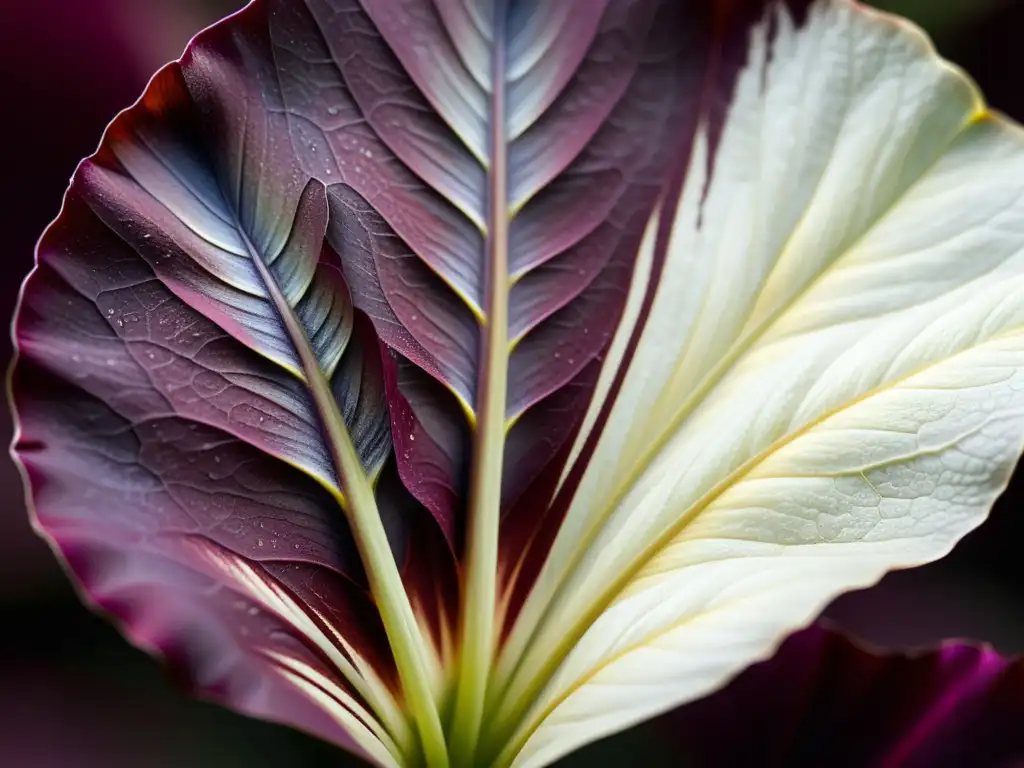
481, 577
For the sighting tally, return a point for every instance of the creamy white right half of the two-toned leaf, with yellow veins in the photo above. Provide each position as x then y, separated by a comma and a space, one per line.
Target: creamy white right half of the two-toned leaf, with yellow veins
830, 386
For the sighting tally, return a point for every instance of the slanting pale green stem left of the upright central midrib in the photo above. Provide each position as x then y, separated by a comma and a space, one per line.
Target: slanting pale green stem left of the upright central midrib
364, 518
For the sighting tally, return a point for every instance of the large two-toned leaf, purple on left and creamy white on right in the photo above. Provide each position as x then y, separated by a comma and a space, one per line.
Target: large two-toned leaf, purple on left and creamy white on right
670, 321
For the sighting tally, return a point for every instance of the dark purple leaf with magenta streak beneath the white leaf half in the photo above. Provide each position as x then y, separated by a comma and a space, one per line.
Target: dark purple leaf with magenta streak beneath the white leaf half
823, 700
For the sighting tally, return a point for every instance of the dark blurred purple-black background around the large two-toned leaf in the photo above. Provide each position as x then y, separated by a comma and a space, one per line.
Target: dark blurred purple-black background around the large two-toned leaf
74, 695
